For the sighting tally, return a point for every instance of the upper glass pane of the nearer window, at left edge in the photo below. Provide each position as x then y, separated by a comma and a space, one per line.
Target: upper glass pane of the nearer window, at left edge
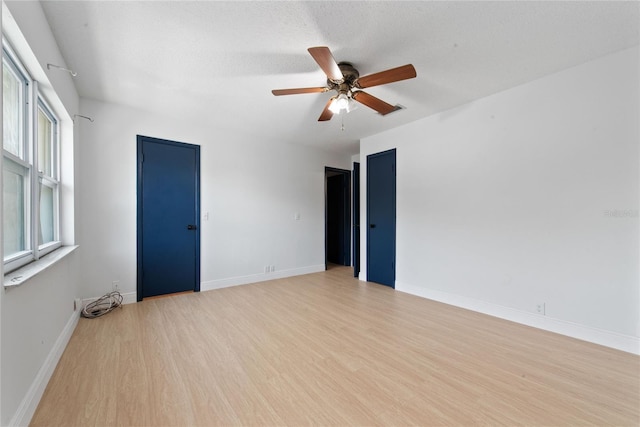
12, 110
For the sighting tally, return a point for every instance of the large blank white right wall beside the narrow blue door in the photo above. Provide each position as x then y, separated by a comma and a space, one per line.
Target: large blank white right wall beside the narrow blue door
511, 201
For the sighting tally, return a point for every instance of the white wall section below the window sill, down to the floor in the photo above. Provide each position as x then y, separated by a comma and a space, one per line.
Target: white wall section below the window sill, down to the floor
37, 320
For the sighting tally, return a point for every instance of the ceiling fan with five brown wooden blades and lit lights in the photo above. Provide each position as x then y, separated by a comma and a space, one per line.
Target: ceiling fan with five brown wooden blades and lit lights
346, 81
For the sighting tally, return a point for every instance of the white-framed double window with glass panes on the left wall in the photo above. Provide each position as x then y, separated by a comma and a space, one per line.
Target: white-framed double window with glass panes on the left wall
29, 168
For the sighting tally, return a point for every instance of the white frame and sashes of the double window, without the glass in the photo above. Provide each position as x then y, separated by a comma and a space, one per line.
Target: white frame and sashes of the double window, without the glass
32, 102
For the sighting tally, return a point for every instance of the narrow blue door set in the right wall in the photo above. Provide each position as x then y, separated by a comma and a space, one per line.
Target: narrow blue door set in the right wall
381, 218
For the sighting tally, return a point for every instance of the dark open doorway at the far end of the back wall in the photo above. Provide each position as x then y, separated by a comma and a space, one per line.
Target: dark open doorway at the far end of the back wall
337, 216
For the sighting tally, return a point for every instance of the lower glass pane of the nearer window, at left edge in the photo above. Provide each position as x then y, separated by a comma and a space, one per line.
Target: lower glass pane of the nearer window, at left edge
13, 218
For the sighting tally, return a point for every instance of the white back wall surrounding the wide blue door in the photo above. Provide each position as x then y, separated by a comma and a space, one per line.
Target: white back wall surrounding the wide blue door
251, 190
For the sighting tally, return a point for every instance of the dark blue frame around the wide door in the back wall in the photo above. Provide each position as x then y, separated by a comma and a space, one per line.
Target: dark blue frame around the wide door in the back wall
140, 139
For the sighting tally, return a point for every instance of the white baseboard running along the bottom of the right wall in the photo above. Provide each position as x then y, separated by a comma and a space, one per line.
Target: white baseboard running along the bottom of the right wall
610, 339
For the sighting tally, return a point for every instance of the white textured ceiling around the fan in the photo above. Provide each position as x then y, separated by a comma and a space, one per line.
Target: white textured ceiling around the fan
218, 61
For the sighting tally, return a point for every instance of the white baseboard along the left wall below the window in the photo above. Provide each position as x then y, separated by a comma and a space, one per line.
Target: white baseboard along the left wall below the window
29, 404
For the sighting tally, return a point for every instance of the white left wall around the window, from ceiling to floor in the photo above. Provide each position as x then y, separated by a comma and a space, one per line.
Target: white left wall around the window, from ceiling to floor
38, 316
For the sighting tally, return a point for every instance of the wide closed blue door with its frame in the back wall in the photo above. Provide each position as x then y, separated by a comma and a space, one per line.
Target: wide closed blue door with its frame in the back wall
168, 217
